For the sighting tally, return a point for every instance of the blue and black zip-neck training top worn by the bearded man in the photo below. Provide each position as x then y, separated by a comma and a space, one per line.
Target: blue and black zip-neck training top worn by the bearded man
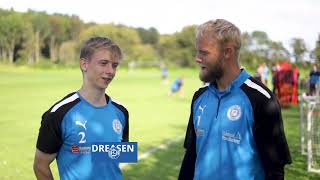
235, 134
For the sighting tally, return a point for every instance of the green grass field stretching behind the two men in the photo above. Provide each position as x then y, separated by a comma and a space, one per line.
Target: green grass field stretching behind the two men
155, 118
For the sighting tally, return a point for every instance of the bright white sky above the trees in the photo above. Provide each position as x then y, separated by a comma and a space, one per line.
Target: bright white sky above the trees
282, 20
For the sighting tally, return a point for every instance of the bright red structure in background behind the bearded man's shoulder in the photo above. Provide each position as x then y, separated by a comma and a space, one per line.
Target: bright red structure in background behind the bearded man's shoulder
286, 81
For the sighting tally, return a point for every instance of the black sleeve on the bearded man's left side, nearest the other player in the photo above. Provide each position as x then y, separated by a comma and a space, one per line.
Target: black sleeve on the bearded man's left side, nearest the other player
189, 160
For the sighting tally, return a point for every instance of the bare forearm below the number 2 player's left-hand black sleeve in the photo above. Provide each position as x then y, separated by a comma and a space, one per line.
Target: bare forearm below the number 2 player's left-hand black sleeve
41, 165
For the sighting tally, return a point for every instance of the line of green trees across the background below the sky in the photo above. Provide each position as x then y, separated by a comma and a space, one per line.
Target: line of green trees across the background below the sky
32, 37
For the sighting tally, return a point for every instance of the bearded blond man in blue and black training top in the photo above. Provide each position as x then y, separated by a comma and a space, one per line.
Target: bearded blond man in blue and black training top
235, 129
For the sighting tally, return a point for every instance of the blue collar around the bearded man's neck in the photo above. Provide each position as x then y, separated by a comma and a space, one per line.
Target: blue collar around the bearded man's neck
236, 83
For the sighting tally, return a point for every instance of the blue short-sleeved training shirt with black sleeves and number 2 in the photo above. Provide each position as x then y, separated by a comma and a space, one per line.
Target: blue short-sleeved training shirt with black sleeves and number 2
74, 121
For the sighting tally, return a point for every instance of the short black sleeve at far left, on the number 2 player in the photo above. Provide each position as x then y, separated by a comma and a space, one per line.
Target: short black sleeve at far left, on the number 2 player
49, 138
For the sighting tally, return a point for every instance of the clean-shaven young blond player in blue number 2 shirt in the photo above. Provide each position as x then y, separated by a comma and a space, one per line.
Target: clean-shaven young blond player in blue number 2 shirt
85, 116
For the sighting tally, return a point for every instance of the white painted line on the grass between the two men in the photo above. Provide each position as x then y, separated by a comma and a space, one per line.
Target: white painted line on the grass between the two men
154, 150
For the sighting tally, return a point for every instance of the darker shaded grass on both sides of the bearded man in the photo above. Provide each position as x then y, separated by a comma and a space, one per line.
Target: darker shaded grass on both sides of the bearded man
165, 164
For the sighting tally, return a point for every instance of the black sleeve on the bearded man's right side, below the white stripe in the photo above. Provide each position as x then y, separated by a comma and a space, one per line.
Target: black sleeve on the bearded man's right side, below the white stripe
270, 139
